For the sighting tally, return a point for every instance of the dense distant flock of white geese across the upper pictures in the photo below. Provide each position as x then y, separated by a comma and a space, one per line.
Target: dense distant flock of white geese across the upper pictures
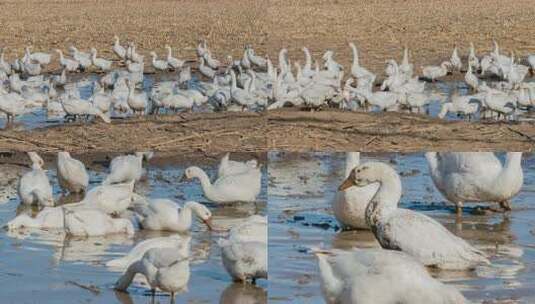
253, 82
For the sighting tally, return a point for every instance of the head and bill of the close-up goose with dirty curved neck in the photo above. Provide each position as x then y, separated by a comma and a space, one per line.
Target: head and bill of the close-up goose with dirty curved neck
368, 173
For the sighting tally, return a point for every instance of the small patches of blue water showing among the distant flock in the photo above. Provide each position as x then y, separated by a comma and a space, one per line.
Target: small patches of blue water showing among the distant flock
37, 118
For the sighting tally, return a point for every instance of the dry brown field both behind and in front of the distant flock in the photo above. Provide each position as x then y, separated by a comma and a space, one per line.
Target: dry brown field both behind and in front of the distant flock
379, 28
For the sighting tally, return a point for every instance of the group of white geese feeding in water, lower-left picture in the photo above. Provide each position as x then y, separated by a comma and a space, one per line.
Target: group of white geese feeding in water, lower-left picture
114, 208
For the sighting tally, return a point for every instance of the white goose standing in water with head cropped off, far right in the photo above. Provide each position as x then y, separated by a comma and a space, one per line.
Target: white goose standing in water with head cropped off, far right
476, 177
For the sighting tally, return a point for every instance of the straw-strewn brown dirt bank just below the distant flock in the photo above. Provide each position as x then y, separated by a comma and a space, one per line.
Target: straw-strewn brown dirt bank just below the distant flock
290, 130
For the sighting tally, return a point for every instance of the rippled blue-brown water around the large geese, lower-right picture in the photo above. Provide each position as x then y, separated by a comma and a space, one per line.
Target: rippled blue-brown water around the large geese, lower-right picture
301, 187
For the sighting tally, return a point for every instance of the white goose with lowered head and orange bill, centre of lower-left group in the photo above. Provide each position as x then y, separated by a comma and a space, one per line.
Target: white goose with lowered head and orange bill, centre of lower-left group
166, 215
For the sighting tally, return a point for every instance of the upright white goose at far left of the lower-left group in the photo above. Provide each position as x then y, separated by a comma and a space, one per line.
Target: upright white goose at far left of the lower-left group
34, 186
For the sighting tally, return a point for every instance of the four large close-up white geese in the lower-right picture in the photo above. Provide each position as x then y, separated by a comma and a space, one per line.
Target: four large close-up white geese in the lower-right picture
410, 241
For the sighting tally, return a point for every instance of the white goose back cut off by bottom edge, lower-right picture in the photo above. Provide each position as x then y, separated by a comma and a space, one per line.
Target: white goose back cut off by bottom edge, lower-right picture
377, 276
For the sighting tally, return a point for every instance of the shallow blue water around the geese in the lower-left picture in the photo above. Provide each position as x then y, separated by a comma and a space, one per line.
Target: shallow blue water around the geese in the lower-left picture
42, 267
